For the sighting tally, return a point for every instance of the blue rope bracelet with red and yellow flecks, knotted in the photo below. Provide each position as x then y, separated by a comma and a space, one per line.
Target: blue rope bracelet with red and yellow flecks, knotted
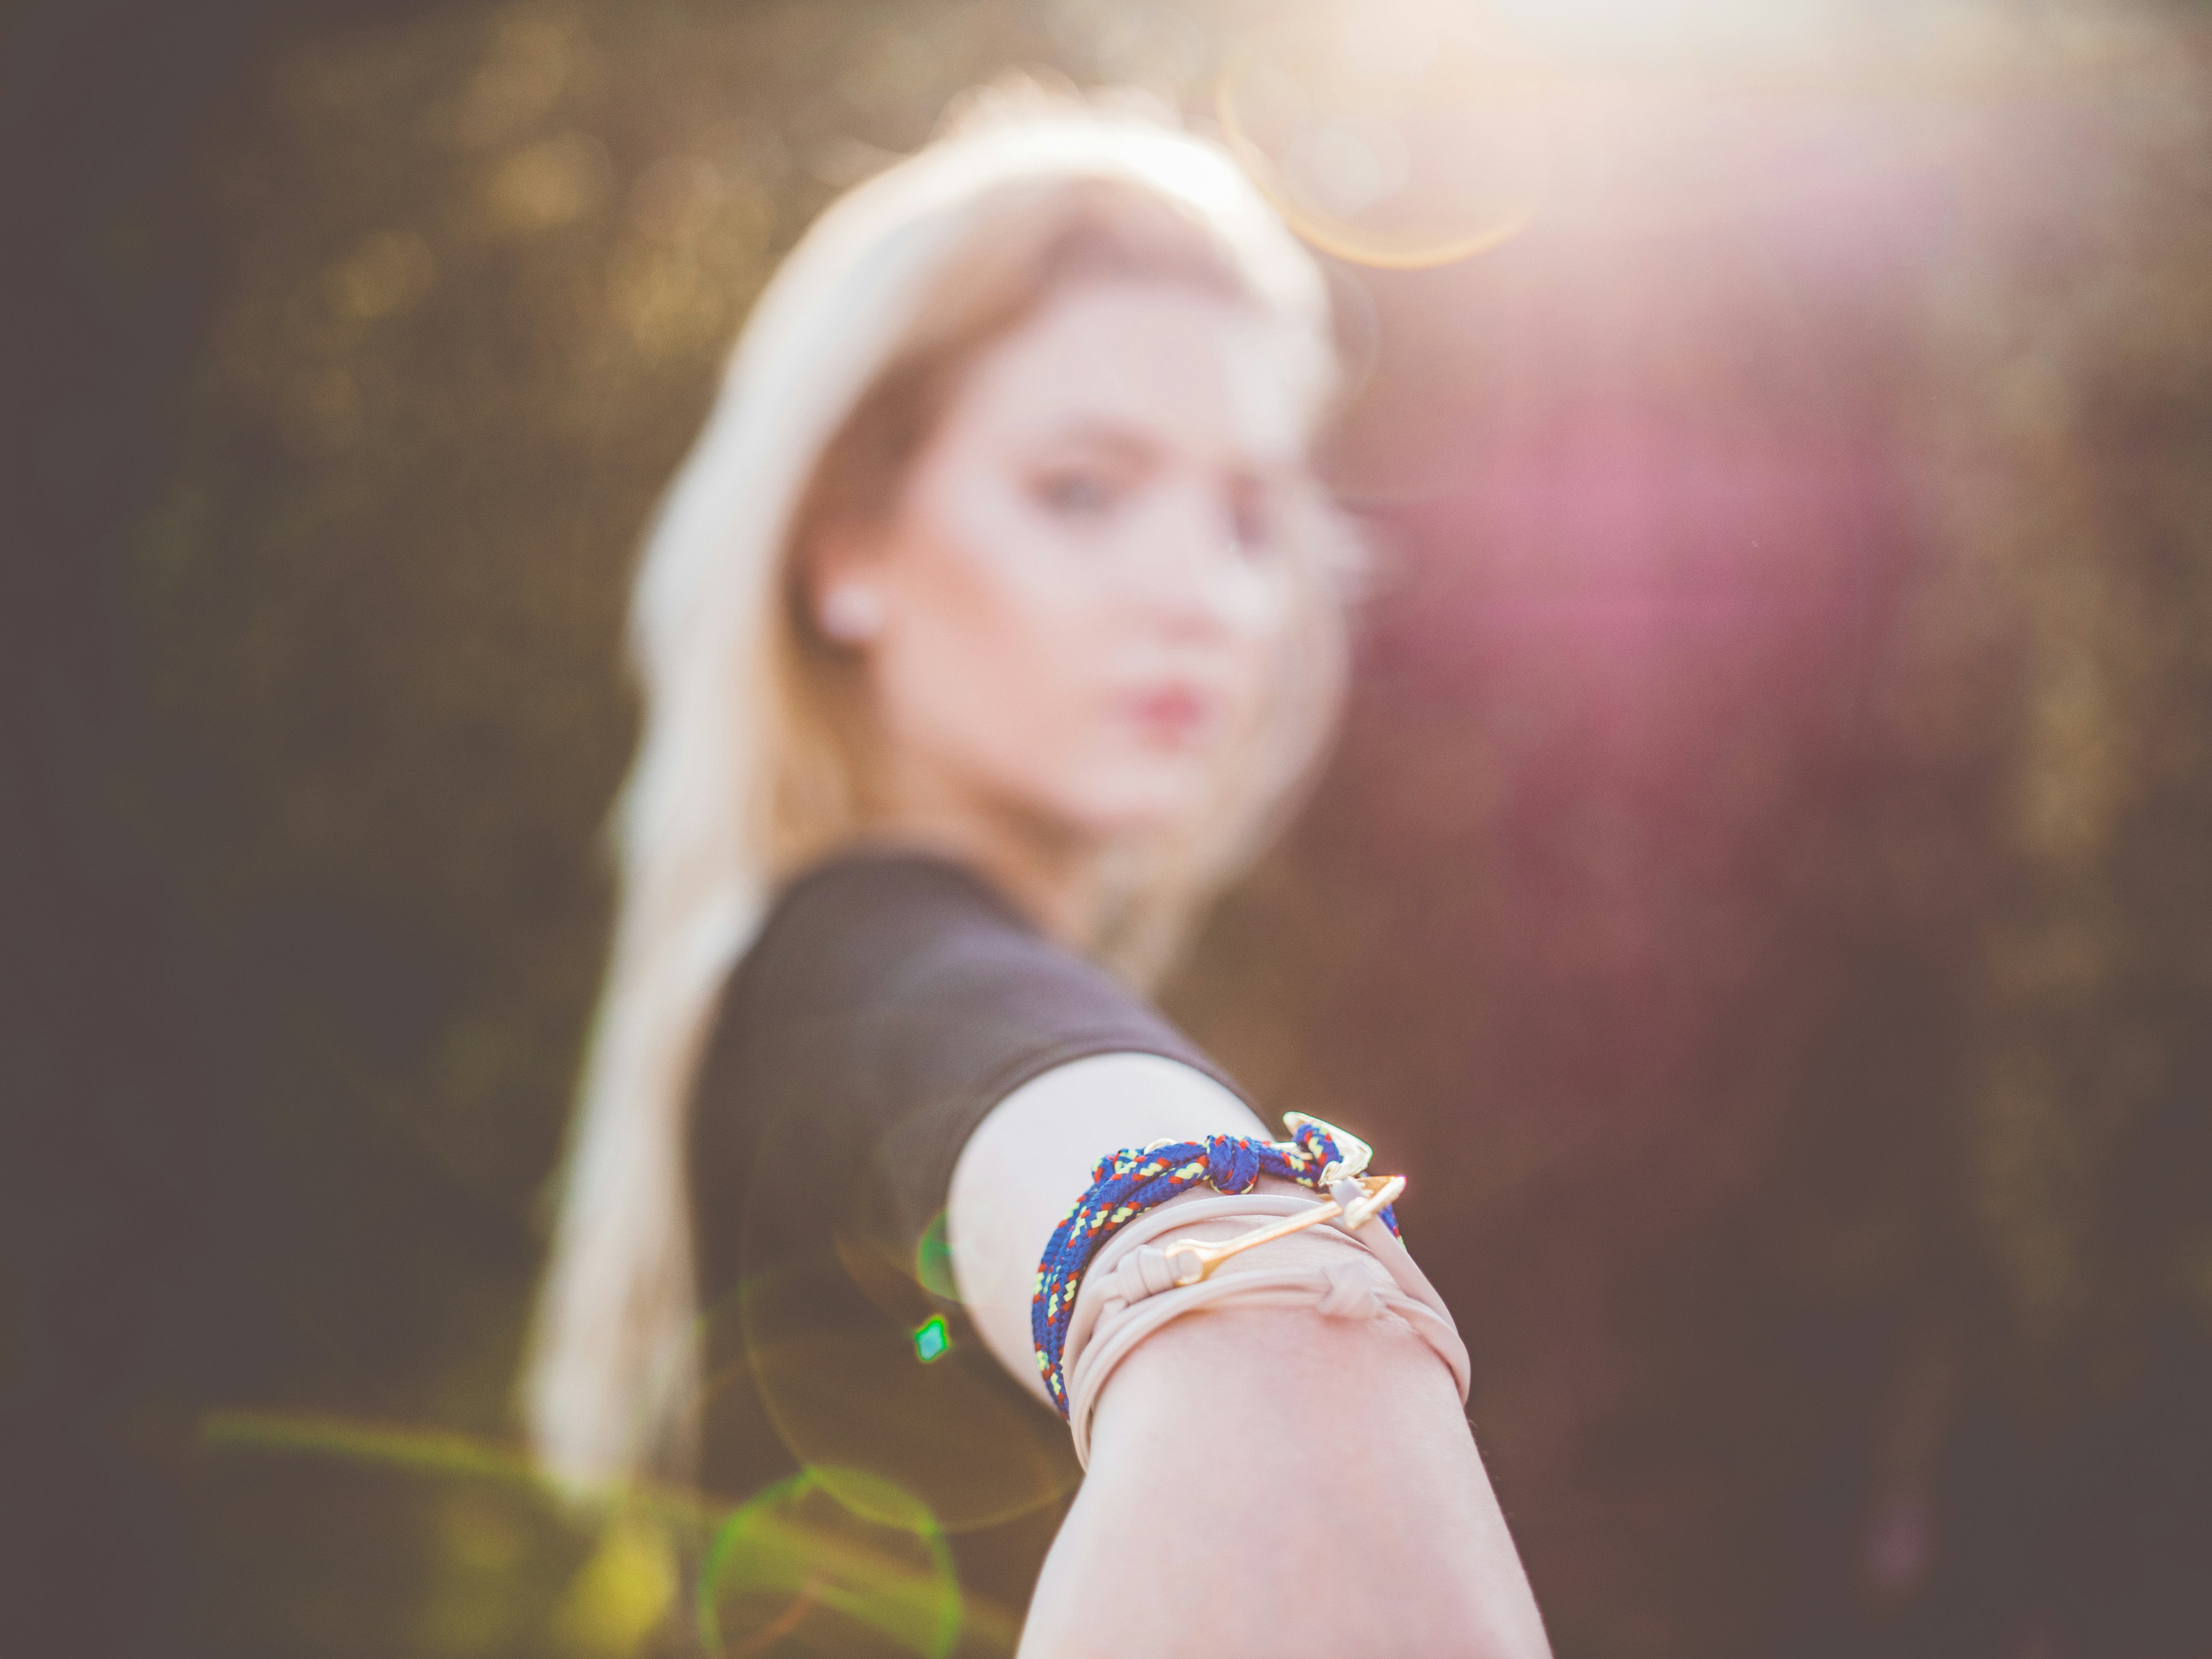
1140, 1178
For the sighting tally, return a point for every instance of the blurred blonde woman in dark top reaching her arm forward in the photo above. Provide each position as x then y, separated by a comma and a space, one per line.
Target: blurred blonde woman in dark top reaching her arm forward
988, 632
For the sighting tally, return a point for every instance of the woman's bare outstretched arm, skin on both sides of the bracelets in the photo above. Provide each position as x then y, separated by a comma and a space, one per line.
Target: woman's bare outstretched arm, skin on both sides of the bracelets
1262, 1481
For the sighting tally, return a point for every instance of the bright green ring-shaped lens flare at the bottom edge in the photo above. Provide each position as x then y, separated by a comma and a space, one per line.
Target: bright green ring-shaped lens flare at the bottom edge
802, 1563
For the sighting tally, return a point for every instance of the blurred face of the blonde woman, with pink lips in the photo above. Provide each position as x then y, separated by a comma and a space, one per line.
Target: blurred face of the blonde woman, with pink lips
1085, 578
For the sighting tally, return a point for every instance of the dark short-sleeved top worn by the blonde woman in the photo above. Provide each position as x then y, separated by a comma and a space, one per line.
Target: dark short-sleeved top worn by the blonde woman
890, 1001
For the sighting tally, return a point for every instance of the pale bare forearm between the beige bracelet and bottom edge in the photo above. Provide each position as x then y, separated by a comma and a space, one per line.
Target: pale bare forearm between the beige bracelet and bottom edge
1275, 1483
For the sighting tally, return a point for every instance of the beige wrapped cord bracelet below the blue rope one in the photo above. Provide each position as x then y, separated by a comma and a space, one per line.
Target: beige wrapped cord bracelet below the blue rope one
1131, 1291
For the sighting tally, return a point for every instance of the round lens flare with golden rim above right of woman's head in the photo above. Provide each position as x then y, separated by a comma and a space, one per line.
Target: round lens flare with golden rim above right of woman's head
1390, 138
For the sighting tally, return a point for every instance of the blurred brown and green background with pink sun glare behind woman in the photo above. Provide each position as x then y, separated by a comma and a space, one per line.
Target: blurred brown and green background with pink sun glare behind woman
1762, 893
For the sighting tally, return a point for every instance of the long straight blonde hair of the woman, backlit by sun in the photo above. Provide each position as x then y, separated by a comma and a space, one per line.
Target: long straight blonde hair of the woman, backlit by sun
753, 755
